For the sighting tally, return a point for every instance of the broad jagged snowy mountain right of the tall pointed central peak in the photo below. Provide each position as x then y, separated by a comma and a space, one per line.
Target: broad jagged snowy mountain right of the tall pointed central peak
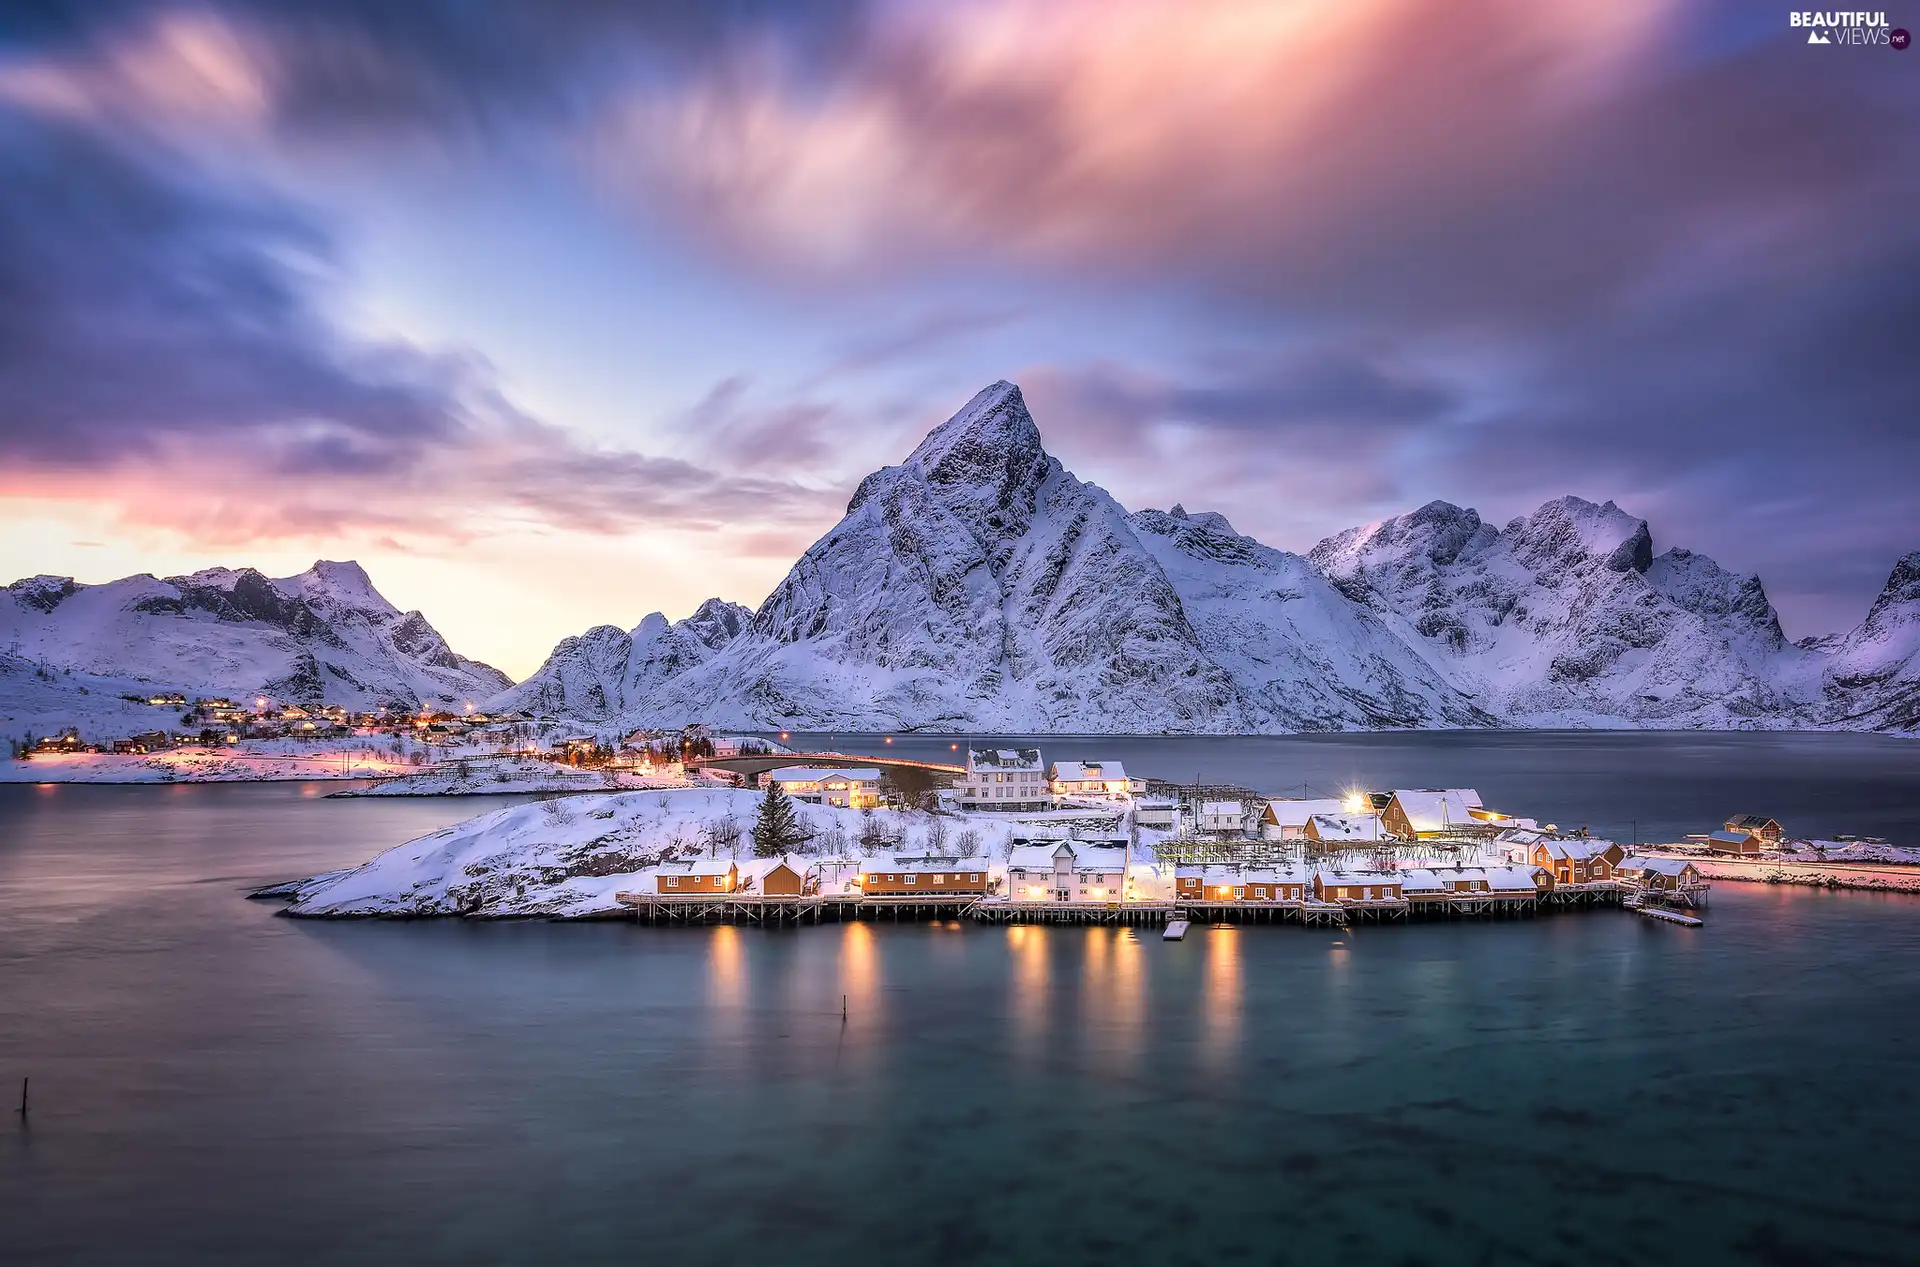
1566, 617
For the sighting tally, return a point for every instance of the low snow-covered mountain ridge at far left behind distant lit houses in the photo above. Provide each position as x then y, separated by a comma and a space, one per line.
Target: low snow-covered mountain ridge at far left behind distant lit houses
322, 636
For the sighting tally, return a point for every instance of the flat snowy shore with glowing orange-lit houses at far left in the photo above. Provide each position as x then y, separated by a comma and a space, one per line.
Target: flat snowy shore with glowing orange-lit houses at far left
254, 761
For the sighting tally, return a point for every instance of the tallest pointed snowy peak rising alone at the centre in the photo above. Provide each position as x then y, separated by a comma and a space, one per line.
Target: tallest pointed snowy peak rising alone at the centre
976, 586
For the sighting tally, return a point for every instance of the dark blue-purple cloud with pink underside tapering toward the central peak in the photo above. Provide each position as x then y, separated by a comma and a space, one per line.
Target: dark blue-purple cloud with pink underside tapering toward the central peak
162, 347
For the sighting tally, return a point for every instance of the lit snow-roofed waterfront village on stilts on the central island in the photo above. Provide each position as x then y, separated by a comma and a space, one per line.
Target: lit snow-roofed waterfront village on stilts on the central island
1093, 844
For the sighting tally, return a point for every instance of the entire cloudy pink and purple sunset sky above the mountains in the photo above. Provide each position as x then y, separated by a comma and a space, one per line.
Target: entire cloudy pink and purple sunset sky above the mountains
560, 314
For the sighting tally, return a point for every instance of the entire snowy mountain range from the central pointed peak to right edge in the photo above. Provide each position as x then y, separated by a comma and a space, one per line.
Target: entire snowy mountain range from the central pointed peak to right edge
982, 586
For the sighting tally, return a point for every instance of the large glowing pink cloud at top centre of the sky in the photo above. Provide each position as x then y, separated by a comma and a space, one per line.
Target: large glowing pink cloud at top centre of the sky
1107, 131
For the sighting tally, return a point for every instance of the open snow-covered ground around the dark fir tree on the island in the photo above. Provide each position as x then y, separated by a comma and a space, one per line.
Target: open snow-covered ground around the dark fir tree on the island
569, 857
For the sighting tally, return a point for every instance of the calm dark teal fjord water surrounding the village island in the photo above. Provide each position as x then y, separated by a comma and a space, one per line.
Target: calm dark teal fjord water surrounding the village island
220, 1086
